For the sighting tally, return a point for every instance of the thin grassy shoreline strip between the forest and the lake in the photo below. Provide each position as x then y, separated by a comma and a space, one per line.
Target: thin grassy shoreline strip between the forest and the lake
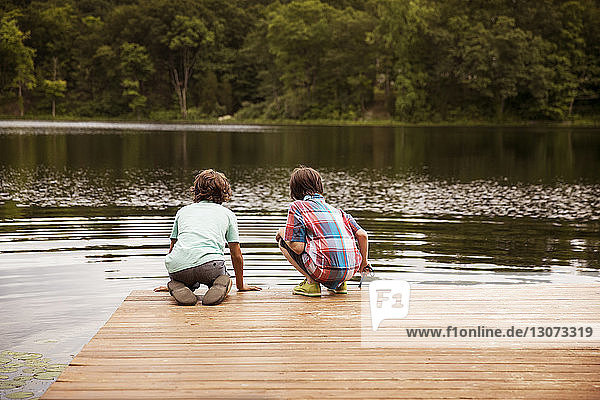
577, 123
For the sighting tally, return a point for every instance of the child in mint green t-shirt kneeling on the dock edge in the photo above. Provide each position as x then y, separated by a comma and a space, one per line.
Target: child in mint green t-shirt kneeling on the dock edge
198, 238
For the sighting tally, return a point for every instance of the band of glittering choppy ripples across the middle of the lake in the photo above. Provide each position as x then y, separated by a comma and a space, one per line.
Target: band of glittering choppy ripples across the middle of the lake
265, 190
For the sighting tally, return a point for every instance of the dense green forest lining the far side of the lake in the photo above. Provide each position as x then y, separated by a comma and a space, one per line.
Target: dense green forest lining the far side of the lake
418, 60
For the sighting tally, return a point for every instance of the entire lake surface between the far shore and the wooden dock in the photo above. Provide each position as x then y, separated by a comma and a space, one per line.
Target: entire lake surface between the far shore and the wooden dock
86, 209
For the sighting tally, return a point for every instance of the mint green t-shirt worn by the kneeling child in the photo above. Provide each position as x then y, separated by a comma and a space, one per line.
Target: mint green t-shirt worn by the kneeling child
201, 230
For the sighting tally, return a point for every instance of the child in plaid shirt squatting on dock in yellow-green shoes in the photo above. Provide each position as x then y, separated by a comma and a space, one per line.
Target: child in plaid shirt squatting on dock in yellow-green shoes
322, 242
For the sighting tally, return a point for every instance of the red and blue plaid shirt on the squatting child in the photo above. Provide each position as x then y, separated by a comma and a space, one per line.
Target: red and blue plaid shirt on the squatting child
331, 255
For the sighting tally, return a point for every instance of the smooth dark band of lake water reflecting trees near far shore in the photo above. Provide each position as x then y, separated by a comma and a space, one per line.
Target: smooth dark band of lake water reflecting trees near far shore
513, 155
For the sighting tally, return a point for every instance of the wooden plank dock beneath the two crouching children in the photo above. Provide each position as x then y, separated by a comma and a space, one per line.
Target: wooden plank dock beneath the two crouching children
271, 344
